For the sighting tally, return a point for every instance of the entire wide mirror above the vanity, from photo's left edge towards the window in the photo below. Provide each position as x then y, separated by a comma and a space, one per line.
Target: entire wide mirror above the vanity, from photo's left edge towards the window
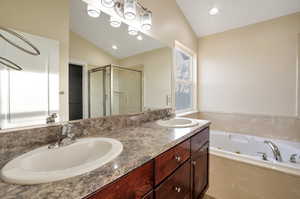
110, 72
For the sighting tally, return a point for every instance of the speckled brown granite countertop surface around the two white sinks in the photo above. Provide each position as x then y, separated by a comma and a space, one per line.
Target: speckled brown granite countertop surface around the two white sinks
141, 144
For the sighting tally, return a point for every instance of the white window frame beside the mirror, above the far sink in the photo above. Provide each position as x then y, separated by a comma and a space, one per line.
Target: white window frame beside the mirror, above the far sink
180, 47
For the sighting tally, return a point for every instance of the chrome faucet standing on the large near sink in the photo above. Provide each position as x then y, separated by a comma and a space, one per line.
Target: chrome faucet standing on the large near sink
65, 138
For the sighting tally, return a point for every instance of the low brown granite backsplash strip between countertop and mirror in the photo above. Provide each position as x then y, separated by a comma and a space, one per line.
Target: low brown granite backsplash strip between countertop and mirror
16, 142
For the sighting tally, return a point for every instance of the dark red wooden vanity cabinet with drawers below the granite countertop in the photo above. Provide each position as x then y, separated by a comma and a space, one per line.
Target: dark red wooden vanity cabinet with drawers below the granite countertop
179, 173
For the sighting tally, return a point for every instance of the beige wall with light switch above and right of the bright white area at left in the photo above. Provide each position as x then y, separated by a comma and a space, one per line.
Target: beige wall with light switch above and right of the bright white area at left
47, 19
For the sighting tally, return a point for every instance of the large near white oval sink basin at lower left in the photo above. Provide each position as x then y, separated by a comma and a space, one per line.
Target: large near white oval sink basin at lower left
44, 165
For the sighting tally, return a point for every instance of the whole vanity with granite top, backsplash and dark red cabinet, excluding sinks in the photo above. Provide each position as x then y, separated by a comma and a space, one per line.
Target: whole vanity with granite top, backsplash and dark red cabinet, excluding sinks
156, 162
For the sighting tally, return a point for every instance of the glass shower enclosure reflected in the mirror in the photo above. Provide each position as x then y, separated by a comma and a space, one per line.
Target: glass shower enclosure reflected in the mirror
114, 90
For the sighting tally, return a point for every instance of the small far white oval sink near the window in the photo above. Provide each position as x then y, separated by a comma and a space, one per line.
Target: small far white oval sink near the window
177, 123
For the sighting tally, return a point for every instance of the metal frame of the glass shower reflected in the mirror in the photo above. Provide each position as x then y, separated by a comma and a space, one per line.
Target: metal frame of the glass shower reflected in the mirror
111, 69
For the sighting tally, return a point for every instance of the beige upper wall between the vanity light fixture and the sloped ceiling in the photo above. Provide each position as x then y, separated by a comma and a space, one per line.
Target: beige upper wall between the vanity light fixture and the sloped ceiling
169, 24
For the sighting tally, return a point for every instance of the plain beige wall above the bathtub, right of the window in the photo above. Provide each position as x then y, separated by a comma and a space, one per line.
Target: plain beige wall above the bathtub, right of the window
251, 70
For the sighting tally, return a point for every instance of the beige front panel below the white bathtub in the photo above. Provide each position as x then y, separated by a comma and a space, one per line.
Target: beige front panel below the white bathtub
231, 179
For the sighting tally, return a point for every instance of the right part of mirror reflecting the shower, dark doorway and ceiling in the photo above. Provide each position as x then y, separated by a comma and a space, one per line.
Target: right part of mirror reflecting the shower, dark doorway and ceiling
120, 73
